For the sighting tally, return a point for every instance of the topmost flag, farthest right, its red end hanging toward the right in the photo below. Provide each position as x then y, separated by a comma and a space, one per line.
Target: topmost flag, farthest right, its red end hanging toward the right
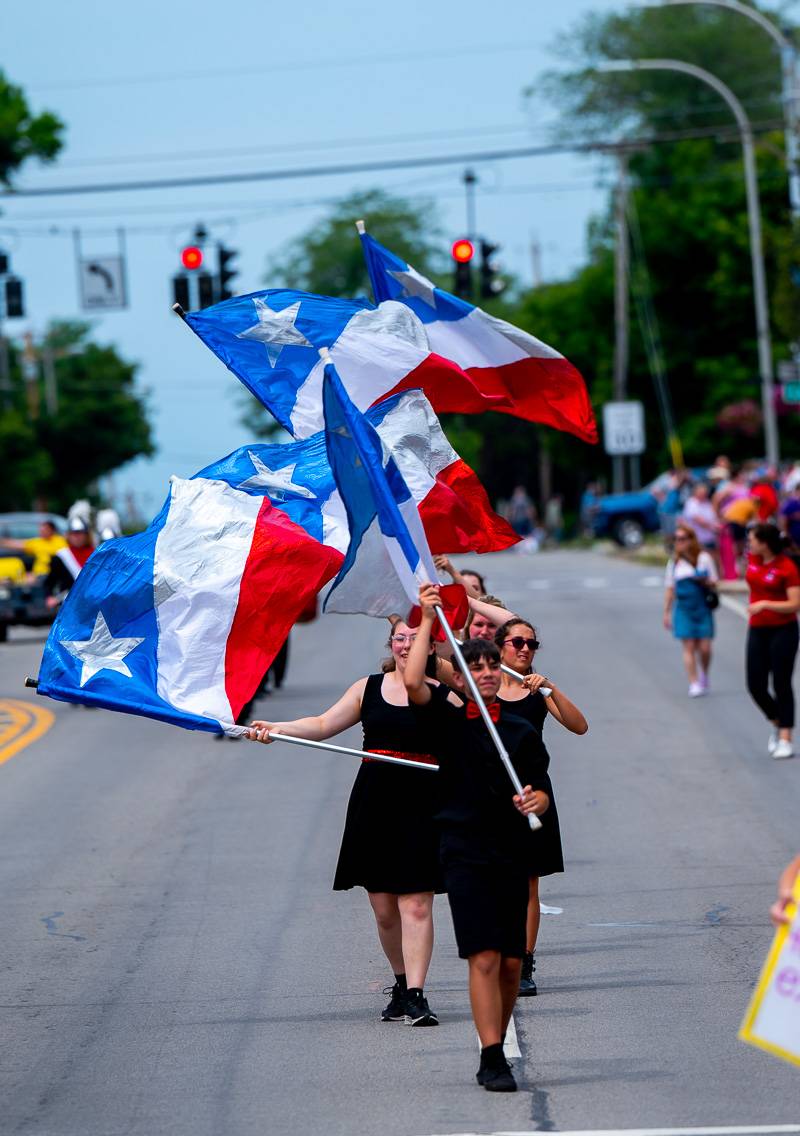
515, 373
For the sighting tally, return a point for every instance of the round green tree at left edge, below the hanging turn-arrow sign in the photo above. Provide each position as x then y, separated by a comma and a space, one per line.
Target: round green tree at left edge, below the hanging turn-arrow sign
101, 424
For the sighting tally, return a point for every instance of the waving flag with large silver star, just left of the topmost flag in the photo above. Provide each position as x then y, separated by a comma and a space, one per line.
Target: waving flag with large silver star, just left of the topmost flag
270, 340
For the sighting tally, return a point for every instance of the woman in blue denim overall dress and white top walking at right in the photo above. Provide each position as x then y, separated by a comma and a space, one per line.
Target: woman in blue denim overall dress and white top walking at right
691, 580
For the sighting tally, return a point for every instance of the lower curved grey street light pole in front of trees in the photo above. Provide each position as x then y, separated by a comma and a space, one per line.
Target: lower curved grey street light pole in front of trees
765, 352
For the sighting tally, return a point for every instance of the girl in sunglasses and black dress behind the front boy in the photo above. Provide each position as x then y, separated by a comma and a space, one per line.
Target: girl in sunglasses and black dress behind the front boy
519, 644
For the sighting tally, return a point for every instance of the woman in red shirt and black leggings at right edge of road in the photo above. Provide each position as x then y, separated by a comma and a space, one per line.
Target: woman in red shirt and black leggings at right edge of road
773, 633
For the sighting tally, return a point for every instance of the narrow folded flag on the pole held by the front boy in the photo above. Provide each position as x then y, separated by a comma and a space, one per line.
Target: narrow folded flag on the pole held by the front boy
388, 557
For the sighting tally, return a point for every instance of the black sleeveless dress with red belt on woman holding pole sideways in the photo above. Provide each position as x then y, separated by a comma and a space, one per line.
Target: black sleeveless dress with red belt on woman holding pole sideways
390, 841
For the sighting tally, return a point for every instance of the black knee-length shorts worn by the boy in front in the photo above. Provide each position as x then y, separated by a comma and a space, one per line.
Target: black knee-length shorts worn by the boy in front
489, 906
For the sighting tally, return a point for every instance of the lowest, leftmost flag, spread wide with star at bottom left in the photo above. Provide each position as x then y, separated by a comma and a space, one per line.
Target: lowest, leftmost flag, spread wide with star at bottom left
181, 622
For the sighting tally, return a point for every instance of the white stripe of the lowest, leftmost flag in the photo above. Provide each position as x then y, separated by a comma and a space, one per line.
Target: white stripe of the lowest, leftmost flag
196, 598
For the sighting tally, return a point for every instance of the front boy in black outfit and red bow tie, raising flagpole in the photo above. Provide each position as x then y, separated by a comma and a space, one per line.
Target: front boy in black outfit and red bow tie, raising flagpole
486, 839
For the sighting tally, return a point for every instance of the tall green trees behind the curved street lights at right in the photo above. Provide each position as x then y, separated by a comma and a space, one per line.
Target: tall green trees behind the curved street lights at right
689, 197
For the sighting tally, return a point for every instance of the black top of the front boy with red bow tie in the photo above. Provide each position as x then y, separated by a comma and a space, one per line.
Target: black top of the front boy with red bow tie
476, 787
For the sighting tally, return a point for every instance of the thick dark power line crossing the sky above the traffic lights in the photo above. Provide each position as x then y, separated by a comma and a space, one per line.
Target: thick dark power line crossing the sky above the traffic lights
721, 133
